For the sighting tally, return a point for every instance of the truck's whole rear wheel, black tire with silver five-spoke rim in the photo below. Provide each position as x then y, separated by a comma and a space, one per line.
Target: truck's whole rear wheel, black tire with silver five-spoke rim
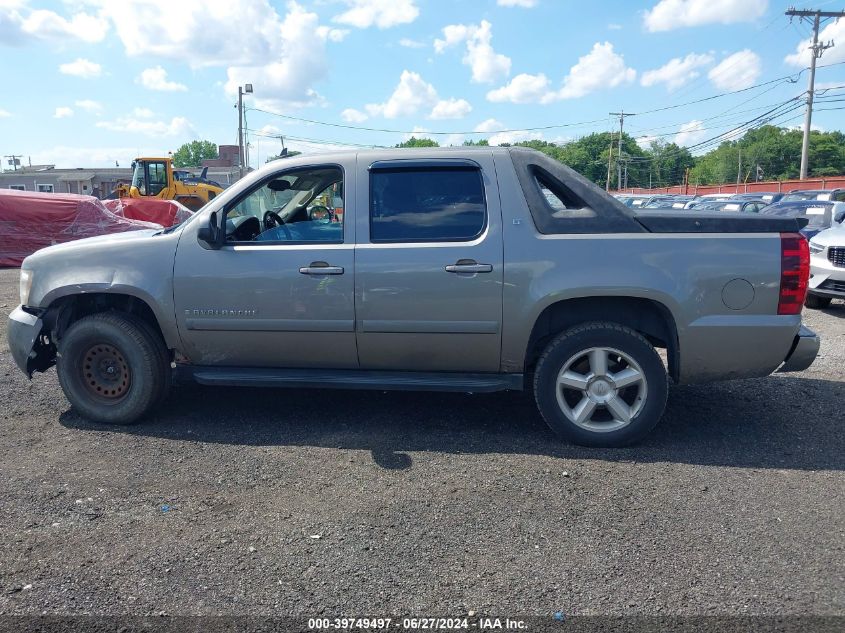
601, 384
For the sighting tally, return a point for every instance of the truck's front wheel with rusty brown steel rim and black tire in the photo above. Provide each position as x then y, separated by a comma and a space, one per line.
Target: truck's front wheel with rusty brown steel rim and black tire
113, 368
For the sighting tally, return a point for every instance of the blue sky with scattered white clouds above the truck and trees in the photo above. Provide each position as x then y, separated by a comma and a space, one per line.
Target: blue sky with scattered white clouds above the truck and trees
91, 82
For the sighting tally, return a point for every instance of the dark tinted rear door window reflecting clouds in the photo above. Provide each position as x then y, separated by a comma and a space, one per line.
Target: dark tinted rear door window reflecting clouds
426, 205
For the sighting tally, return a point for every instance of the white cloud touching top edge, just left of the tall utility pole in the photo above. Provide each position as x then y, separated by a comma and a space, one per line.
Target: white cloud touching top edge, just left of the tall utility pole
667, 15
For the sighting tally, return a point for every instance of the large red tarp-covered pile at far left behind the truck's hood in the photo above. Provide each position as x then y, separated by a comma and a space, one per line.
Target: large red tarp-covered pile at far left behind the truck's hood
30, 221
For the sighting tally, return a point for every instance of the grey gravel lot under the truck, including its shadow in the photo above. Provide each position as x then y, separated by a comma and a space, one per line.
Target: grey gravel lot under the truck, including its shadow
306, 502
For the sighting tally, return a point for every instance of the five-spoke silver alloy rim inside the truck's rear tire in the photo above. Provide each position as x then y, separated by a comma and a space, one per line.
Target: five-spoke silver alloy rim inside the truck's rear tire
601, 389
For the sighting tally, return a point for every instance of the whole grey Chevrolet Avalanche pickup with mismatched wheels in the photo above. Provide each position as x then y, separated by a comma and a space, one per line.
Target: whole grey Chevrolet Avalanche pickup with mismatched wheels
468, 270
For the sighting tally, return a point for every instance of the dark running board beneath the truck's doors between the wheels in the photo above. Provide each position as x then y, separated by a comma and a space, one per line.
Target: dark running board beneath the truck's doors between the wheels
355, 379
